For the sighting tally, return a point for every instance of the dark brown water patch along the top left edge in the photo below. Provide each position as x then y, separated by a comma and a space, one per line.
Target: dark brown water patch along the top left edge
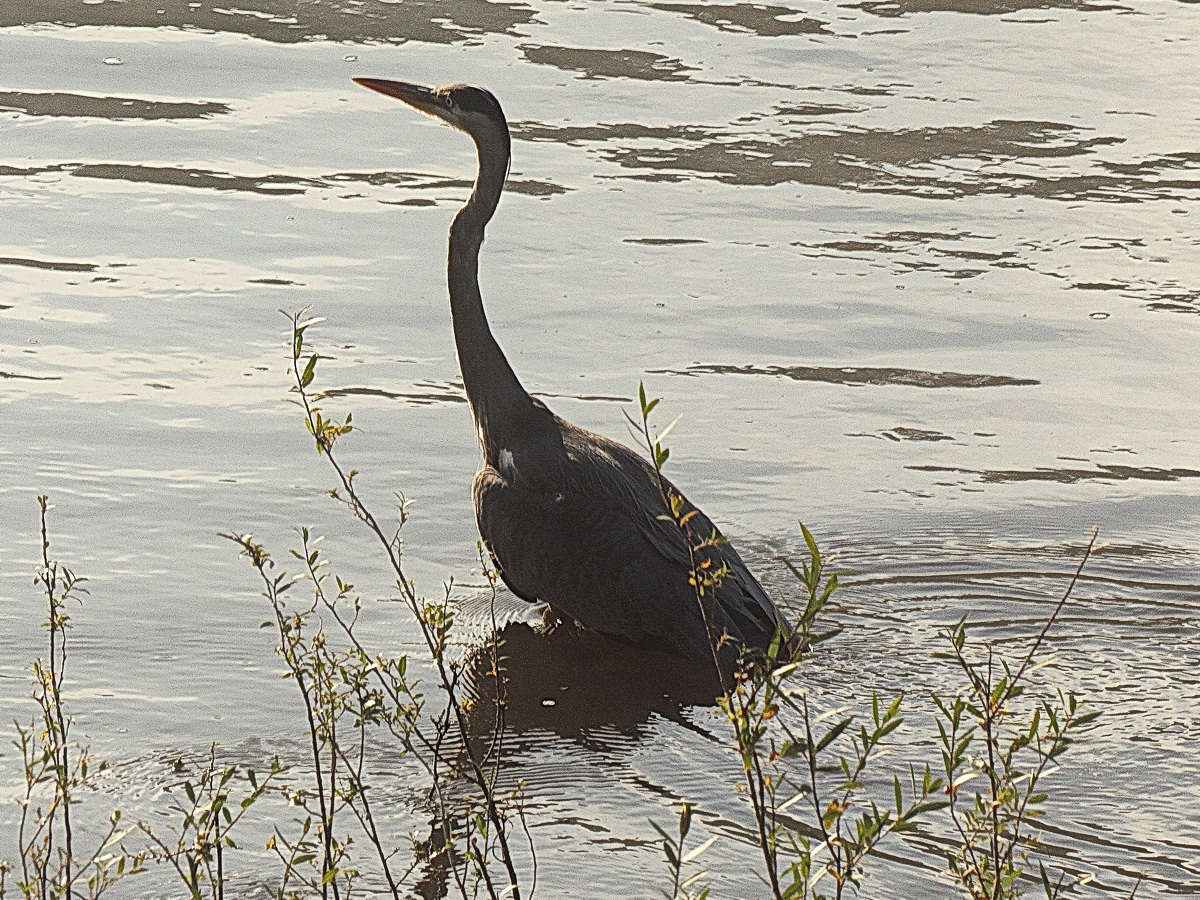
289, 21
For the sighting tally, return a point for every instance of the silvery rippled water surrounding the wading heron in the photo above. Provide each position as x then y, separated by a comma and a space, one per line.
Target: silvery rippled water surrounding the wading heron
921, 274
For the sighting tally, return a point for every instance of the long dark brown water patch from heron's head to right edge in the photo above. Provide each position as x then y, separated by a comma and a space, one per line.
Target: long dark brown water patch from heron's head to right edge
931, 163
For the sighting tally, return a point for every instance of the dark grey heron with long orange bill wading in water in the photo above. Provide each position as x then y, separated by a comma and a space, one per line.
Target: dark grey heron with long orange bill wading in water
573, 519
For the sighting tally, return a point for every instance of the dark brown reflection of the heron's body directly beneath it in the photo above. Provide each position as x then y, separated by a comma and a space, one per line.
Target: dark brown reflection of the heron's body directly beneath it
571, 681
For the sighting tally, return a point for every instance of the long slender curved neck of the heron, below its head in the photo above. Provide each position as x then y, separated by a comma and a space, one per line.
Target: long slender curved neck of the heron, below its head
493, 388
